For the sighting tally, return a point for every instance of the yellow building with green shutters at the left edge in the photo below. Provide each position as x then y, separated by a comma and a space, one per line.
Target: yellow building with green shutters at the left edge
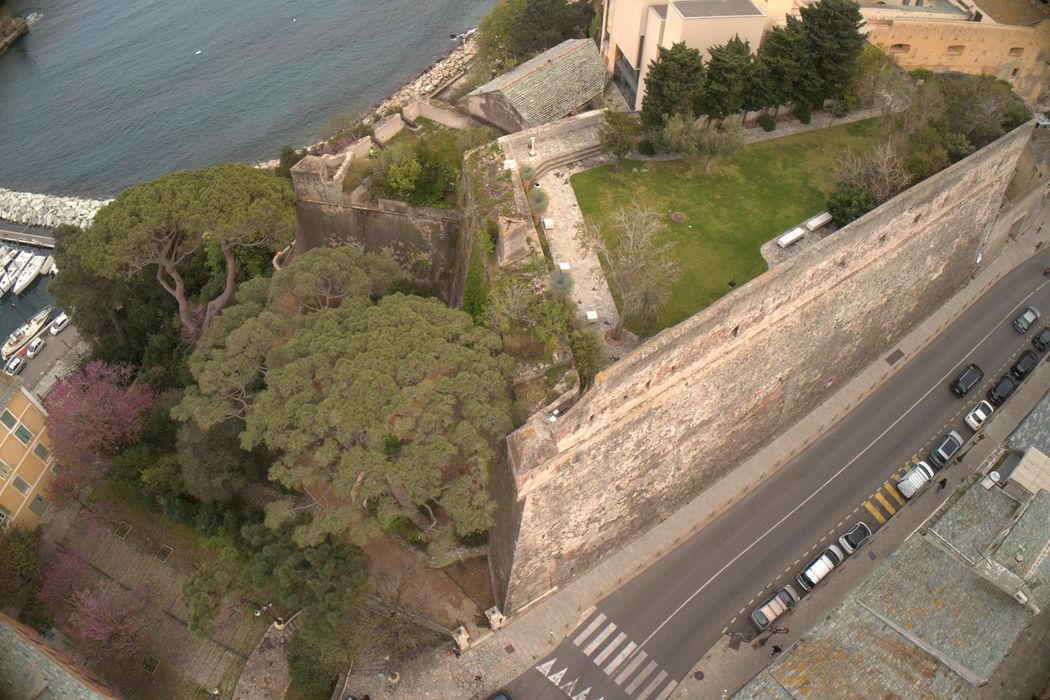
27, 464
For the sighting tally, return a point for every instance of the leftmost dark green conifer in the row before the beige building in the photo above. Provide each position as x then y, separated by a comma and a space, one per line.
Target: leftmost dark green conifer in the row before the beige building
674, 87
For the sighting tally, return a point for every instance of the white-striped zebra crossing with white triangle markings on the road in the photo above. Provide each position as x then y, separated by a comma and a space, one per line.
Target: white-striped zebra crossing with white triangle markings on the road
612, 651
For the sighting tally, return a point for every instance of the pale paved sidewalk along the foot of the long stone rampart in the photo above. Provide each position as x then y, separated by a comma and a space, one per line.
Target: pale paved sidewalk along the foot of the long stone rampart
534, 632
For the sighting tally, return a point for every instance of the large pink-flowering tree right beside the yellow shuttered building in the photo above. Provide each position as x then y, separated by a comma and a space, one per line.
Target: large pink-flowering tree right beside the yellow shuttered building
94, 415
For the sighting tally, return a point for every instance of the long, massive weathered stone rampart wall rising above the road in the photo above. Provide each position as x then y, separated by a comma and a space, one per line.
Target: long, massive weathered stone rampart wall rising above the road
680, 413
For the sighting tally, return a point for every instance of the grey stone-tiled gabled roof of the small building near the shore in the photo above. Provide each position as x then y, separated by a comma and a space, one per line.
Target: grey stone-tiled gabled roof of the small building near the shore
553, 84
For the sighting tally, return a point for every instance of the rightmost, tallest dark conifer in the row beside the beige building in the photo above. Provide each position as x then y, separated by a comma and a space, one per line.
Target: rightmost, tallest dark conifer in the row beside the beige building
835, 43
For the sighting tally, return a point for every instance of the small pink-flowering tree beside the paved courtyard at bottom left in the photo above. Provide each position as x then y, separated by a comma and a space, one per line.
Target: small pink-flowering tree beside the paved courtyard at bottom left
109, 622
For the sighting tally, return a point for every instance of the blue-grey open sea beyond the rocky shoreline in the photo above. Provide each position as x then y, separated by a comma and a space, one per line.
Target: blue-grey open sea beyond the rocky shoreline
102, 95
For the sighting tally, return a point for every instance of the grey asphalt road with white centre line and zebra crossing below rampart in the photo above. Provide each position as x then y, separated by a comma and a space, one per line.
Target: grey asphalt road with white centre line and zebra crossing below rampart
646, 637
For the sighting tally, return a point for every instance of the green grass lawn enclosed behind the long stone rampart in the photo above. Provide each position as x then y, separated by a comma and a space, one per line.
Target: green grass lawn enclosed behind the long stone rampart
764, 192
